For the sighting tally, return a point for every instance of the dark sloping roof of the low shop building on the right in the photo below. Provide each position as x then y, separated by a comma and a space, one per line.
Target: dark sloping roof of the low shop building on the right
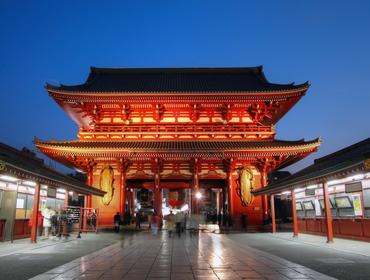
350, 157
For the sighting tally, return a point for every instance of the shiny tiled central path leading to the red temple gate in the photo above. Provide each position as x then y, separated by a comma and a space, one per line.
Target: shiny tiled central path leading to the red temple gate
207, 256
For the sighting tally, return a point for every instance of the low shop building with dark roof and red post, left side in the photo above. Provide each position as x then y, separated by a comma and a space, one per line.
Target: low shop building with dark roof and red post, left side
28, 186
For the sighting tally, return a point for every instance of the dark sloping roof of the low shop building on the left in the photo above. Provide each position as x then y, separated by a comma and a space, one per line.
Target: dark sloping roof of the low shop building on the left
23, 164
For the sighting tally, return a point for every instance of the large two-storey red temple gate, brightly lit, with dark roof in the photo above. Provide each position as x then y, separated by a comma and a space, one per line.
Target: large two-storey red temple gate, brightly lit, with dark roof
190, 138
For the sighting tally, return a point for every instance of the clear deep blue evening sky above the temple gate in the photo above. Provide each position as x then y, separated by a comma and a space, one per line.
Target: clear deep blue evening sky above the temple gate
325, 42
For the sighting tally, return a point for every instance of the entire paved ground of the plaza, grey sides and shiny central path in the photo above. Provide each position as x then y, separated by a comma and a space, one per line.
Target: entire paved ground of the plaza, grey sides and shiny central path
142, 255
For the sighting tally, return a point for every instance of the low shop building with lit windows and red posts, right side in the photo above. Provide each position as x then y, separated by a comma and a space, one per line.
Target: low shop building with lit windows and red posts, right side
330, 197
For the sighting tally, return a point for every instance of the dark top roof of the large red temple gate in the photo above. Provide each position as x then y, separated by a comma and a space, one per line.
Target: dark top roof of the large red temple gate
240, 79
